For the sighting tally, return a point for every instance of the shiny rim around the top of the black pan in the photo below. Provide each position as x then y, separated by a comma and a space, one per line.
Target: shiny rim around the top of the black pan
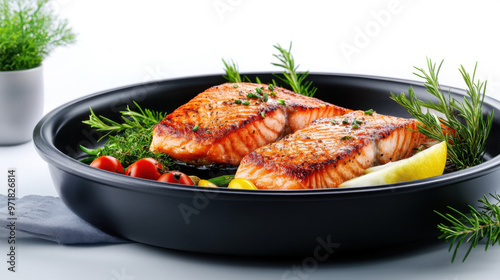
46, 149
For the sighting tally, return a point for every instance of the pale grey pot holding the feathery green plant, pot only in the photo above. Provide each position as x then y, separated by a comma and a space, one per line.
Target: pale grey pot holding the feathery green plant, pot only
21, 104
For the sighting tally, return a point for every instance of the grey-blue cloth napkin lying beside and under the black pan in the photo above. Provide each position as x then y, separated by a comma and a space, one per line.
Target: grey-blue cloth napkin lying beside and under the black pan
48, 218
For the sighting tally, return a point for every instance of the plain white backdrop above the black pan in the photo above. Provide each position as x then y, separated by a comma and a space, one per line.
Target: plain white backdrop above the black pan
124, 42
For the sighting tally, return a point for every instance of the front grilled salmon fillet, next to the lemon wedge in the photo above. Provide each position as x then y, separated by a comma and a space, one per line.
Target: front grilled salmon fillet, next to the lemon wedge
330, 151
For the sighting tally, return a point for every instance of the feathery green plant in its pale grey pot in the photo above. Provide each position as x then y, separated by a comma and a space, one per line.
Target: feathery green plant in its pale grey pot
29, 31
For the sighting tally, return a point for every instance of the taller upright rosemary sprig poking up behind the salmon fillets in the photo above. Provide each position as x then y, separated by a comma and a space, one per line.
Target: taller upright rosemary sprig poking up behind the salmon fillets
294, 79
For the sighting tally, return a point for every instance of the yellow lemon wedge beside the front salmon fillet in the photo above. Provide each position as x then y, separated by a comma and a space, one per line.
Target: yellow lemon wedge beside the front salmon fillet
428, 163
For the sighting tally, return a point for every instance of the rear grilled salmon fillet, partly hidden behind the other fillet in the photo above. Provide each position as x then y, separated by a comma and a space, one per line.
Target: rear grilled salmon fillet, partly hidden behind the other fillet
225, 123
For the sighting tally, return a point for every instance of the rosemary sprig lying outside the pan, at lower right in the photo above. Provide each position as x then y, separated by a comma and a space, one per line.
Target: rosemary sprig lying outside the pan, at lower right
473, 226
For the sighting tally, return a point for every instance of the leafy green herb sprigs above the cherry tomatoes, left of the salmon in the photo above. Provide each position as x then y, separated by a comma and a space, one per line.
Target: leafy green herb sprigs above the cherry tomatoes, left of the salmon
128, 141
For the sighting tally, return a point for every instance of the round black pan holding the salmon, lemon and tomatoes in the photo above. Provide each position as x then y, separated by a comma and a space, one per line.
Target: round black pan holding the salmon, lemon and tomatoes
248, 222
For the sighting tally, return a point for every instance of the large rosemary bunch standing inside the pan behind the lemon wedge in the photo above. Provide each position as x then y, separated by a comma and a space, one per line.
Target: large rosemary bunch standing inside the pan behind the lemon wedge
465, 139
